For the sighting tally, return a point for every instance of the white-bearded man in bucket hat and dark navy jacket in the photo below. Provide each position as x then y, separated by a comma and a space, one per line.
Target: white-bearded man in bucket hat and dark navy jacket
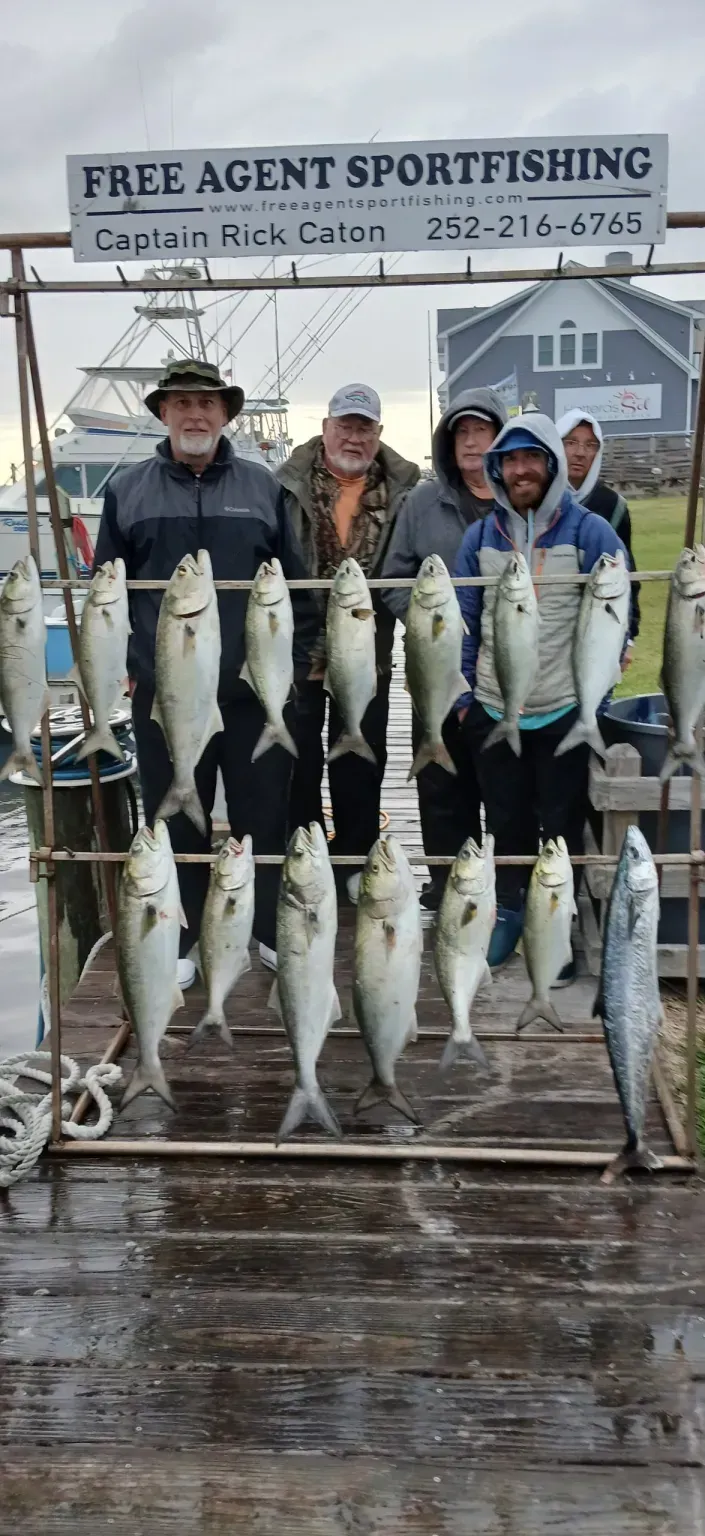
193, 494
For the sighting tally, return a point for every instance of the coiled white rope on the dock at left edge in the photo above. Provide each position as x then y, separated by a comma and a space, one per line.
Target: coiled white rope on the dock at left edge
27, 1116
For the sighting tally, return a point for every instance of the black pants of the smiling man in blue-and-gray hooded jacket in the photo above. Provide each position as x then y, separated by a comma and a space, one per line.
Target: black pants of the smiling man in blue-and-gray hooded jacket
529, 796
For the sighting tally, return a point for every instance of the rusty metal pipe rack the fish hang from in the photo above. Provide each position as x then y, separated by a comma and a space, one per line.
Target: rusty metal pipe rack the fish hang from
15, 305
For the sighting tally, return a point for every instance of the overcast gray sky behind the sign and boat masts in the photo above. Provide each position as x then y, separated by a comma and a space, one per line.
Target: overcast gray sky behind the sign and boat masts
88, 78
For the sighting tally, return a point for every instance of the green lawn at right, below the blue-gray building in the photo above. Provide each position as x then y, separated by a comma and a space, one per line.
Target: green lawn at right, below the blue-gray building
658, 526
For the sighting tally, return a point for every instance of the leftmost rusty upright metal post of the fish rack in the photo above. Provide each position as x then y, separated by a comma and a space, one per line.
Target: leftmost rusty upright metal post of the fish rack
48, 787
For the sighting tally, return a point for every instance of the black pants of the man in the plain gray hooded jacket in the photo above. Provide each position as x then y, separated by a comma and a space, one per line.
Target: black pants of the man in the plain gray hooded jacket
449, 807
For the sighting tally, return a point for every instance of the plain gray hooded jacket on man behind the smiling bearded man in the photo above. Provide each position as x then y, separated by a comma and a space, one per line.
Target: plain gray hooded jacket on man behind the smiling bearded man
434, 518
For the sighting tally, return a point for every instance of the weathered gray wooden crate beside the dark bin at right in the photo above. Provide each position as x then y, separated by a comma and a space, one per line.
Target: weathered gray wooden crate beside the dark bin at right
620, 792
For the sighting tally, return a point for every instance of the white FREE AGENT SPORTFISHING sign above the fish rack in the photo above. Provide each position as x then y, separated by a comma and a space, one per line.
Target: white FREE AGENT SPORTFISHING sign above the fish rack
343, 199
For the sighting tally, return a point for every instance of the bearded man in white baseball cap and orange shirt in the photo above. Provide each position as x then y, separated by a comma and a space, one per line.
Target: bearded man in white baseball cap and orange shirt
345, 489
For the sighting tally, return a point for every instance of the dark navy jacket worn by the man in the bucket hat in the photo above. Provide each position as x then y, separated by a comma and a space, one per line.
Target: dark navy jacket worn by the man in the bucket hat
161, 511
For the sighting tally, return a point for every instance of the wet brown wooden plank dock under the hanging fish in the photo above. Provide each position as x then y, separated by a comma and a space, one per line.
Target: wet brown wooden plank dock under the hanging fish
328, 1349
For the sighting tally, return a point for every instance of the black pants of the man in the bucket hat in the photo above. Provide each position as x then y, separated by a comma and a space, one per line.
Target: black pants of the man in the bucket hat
256, 796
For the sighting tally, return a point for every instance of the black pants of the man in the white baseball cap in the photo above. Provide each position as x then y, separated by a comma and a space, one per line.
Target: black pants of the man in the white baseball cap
356, 786
